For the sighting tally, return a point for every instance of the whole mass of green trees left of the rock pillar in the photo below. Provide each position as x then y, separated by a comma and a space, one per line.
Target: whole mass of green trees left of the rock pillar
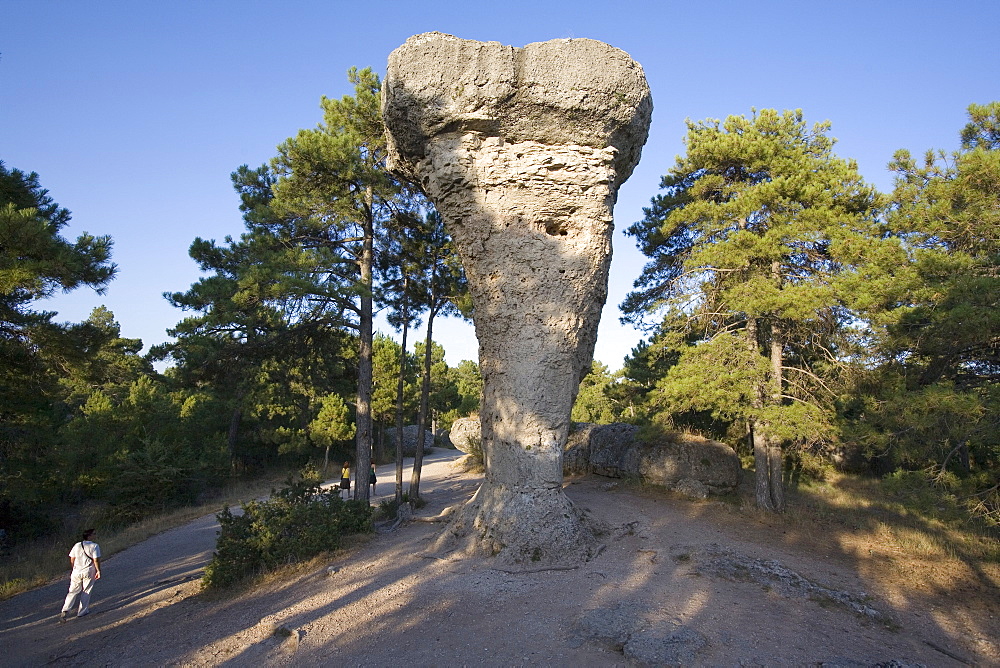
262, 361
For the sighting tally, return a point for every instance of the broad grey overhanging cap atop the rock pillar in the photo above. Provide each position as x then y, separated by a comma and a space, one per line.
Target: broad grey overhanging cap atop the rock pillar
563, 91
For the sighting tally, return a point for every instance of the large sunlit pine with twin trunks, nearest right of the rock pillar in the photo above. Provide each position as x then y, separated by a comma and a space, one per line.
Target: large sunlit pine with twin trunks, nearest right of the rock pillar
754, 245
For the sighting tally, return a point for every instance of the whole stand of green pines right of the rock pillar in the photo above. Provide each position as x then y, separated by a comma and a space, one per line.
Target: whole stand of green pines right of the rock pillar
787, 296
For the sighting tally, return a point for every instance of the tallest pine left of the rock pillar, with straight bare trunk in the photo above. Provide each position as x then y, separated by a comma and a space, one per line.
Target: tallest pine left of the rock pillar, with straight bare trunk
335, 194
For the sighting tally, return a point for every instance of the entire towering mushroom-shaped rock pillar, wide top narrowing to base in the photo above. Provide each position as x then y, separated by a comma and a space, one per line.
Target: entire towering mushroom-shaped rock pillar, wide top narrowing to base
522, 151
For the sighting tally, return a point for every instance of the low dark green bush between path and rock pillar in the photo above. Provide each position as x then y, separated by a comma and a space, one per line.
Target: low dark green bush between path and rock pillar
298, 522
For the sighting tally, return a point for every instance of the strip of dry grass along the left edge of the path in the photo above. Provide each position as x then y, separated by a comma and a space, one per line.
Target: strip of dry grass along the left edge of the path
39, 562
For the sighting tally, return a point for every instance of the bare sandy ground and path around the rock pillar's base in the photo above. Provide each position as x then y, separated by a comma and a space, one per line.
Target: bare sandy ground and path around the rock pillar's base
677, 584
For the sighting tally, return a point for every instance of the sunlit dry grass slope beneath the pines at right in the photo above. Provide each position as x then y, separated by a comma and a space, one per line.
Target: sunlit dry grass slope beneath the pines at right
908, 551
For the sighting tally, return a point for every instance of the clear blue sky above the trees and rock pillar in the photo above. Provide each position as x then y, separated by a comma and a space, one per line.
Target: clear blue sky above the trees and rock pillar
134, 113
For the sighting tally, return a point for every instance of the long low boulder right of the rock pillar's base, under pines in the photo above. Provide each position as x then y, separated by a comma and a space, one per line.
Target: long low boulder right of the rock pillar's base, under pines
691, 465
